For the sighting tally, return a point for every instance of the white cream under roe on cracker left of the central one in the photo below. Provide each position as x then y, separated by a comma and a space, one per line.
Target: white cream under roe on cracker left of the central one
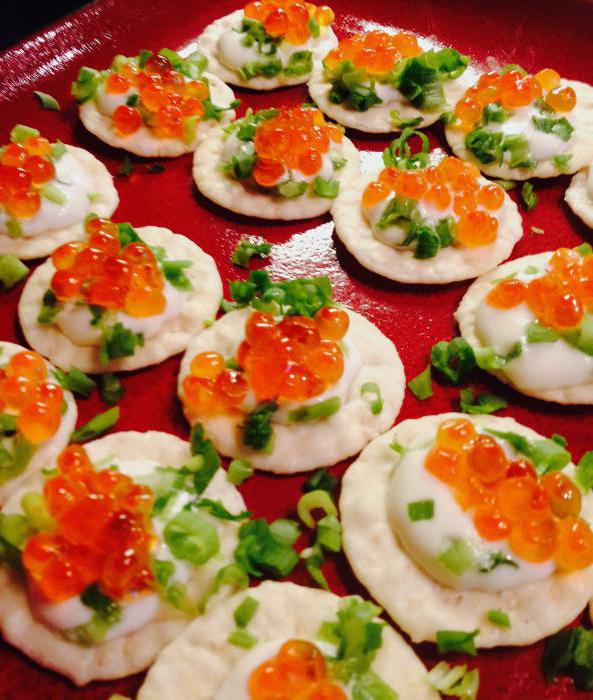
75, 319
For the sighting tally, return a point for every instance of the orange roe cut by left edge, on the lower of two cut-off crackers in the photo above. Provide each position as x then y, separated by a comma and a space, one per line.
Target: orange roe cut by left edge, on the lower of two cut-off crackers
26, 394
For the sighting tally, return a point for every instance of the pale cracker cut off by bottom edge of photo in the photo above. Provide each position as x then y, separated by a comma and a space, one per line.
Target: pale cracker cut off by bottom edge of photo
286, 611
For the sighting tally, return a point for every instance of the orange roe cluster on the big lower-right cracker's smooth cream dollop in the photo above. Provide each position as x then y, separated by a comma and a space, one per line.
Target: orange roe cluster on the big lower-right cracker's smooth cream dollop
538, 516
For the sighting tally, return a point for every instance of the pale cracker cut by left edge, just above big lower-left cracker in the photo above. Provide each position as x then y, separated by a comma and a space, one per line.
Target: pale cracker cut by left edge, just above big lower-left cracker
46, 453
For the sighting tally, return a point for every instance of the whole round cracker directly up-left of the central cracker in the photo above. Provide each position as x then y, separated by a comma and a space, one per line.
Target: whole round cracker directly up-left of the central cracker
199, 305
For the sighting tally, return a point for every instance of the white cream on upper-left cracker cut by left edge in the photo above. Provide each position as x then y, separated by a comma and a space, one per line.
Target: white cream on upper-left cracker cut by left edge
72, 181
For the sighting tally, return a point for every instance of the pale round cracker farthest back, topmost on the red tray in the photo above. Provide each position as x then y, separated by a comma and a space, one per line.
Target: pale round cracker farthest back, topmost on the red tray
208, 44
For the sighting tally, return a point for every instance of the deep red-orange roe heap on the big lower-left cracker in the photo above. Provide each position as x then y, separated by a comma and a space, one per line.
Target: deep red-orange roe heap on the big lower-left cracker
102, 532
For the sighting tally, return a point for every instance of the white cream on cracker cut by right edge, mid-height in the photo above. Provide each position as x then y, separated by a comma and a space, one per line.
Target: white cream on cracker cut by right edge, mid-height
552, 365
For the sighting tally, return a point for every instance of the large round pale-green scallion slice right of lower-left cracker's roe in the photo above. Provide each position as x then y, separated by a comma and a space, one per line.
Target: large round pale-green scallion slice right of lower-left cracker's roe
192, 538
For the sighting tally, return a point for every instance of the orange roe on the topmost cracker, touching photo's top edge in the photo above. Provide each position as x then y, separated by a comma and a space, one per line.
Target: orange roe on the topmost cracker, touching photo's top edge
288, 19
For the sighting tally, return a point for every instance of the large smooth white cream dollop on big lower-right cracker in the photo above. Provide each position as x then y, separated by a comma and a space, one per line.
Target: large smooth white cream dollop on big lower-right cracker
425, 540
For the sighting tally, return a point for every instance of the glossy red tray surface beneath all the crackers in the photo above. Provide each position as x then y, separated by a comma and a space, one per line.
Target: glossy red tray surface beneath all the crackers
531, 33
